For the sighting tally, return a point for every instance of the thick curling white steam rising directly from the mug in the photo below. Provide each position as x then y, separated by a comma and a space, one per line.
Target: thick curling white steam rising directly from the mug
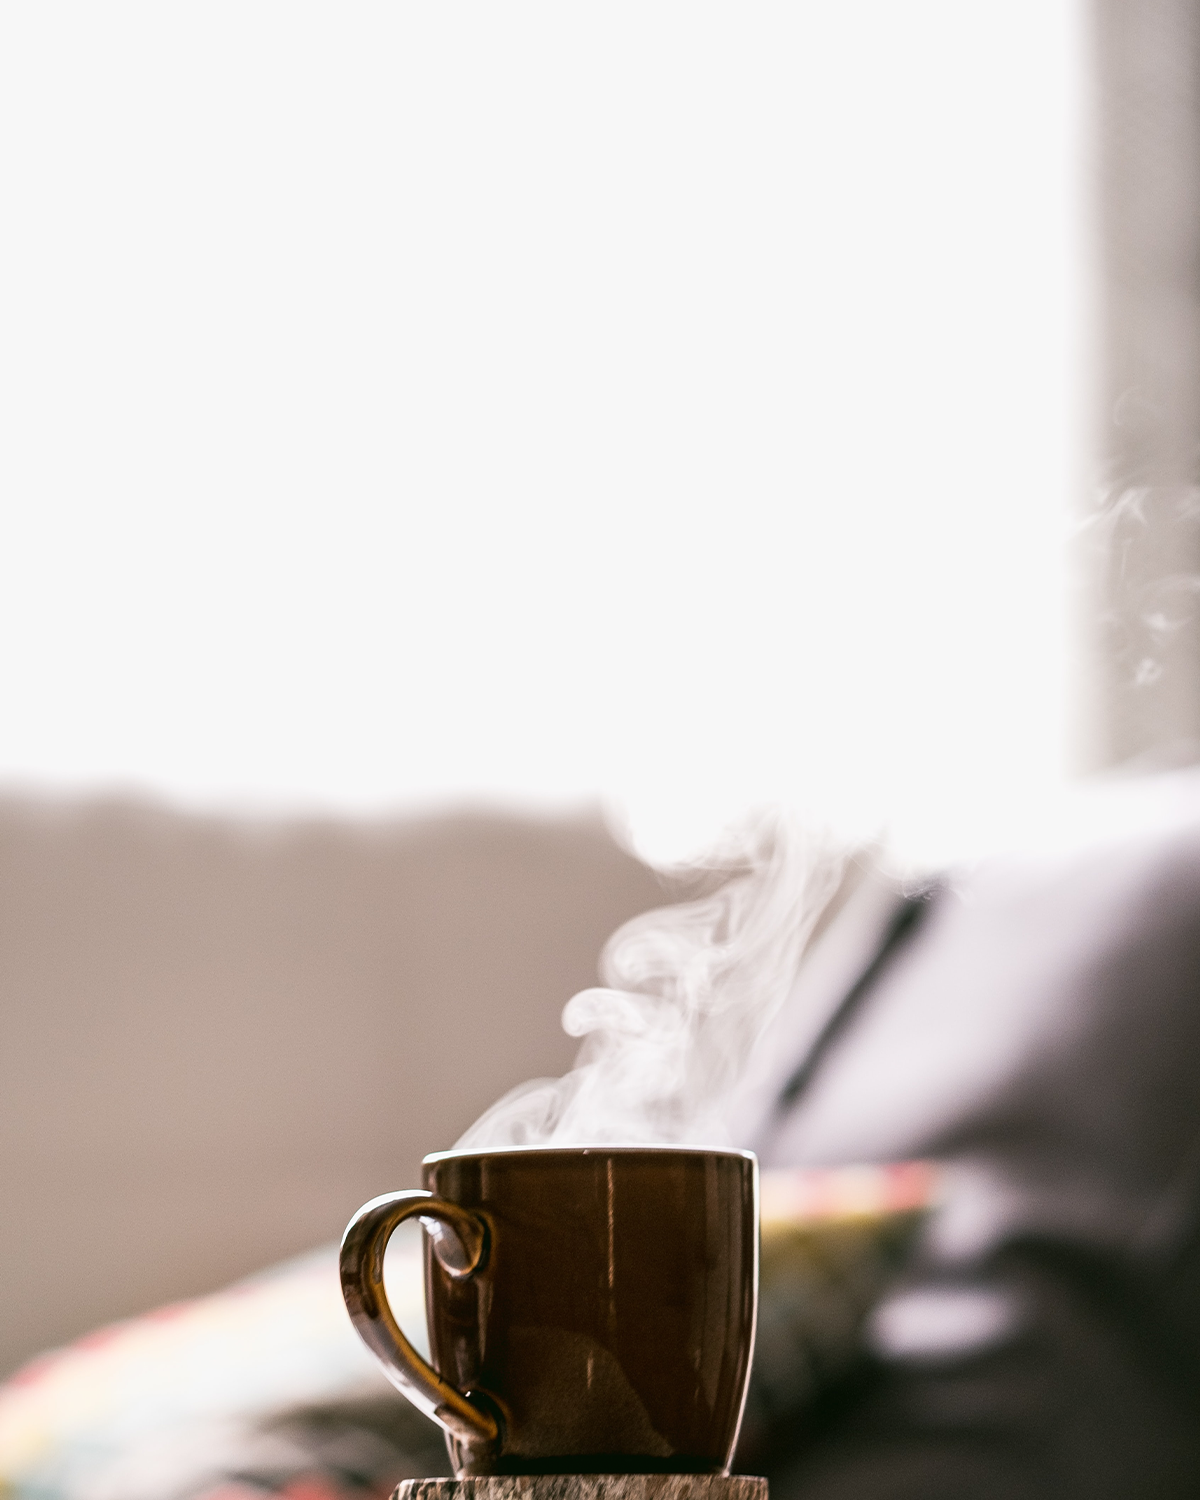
688, 994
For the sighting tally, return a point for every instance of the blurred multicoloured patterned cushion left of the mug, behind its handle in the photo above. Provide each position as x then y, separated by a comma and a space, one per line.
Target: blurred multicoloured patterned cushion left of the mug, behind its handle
260, 1390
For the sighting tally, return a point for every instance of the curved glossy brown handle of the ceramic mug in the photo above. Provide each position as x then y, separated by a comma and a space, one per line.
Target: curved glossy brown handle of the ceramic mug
461, 1246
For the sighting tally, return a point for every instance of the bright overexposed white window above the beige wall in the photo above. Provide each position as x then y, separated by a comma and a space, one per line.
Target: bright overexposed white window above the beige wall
530, 401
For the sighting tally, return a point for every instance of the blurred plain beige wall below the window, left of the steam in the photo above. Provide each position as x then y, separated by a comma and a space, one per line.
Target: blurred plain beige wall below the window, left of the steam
218, 1039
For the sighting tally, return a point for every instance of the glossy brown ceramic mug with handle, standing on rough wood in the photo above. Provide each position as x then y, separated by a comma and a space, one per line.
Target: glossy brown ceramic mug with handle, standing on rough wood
592, 1309
